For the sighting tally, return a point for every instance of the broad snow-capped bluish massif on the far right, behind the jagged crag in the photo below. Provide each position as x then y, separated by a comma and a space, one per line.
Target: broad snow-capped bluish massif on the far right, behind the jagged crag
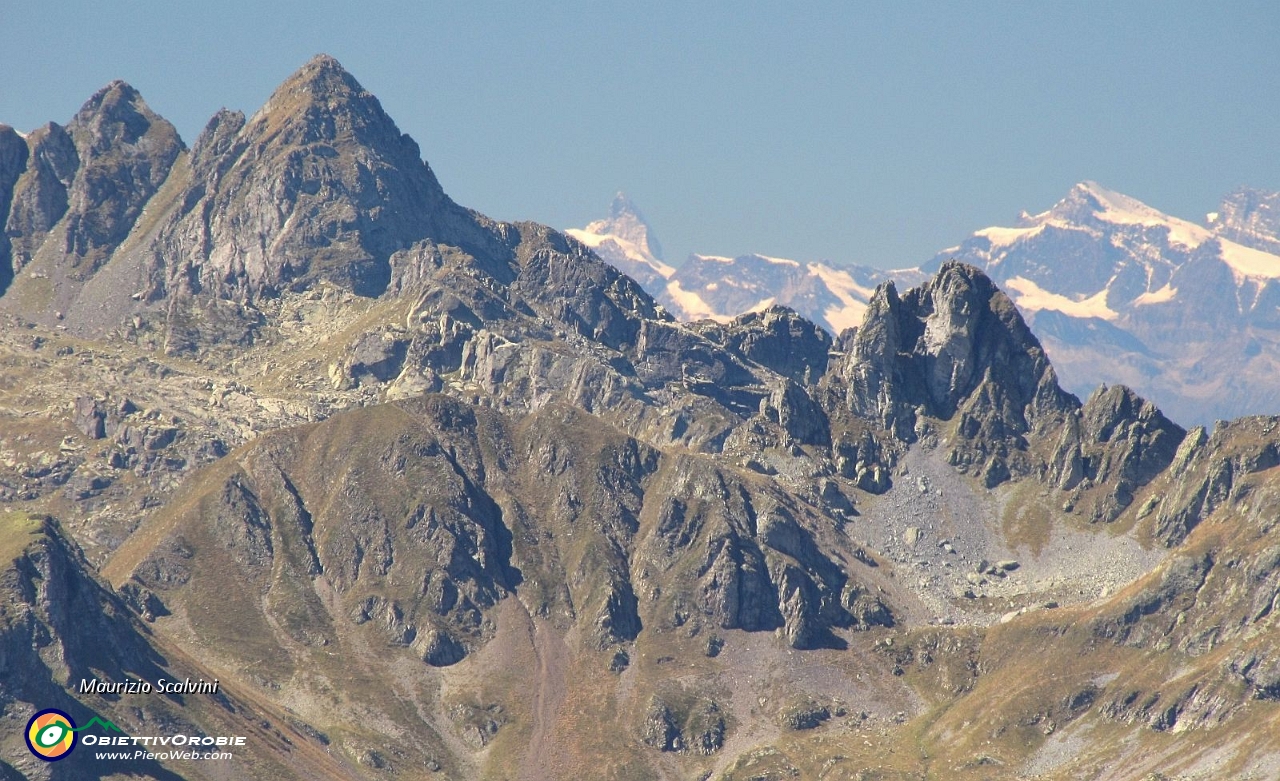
1123, 294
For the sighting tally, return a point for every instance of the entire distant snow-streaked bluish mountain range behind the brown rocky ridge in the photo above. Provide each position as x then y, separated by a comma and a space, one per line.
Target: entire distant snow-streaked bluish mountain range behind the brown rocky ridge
1119, 293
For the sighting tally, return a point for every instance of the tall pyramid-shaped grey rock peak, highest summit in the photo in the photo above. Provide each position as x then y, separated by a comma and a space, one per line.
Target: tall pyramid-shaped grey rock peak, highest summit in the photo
318, 185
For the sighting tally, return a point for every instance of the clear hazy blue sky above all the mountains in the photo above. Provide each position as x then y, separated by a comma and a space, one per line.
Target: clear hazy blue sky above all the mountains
867, 133
